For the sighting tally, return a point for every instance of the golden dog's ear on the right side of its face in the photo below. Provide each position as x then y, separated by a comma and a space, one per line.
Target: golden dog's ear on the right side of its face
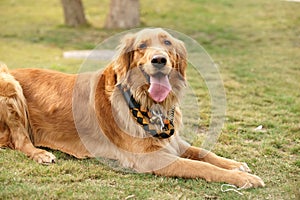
181, 56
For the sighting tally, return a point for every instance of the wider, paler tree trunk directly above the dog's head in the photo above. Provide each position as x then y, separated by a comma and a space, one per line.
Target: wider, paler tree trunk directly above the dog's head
123, 14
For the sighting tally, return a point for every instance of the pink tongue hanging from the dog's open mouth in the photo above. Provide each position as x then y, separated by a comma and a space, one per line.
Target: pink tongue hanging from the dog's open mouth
159, 88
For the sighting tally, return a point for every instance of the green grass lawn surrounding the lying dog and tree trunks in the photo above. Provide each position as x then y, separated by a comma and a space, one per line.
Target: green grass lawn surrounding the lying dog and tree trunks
256, 45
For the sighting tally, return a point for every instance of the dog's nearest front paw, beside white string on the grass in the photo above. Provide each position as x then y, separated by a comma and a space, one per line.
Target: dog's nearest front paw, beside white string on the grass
245, 180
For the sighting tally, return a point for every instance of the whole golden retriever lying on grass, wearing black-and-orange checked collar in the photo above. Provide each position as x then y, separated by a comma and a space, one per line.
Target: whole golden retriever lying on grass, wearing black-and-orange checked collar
128, 112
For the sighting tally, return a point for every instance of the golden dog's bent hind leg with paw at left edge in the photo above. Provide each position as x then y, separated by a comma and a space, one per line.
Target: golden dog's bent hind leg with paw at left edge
14, 121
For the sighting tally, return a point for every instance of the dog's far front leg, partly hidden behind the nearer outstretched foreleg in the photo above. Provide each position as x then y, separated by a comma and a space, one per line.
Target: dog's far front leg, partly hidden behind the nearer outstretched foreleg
195, 153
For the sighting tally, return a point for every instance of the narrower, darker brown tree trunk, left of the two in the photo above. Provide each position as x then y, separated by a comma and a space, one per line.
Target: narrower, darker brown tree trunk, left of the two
73, 13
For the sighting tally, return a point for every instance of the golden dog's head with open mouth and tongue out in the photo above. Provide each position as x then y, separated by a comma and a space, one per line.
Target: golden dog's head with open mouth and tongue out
152, 63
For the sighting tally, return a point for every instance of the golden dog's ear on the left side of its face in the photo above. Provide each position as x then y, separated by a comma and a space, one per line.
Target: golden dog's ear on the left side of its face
124, 55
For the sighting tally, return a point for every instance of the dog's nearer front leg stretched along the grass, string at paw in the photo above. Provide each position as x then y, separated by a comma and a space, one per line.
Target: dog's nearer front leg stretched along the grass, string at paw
187, 168
